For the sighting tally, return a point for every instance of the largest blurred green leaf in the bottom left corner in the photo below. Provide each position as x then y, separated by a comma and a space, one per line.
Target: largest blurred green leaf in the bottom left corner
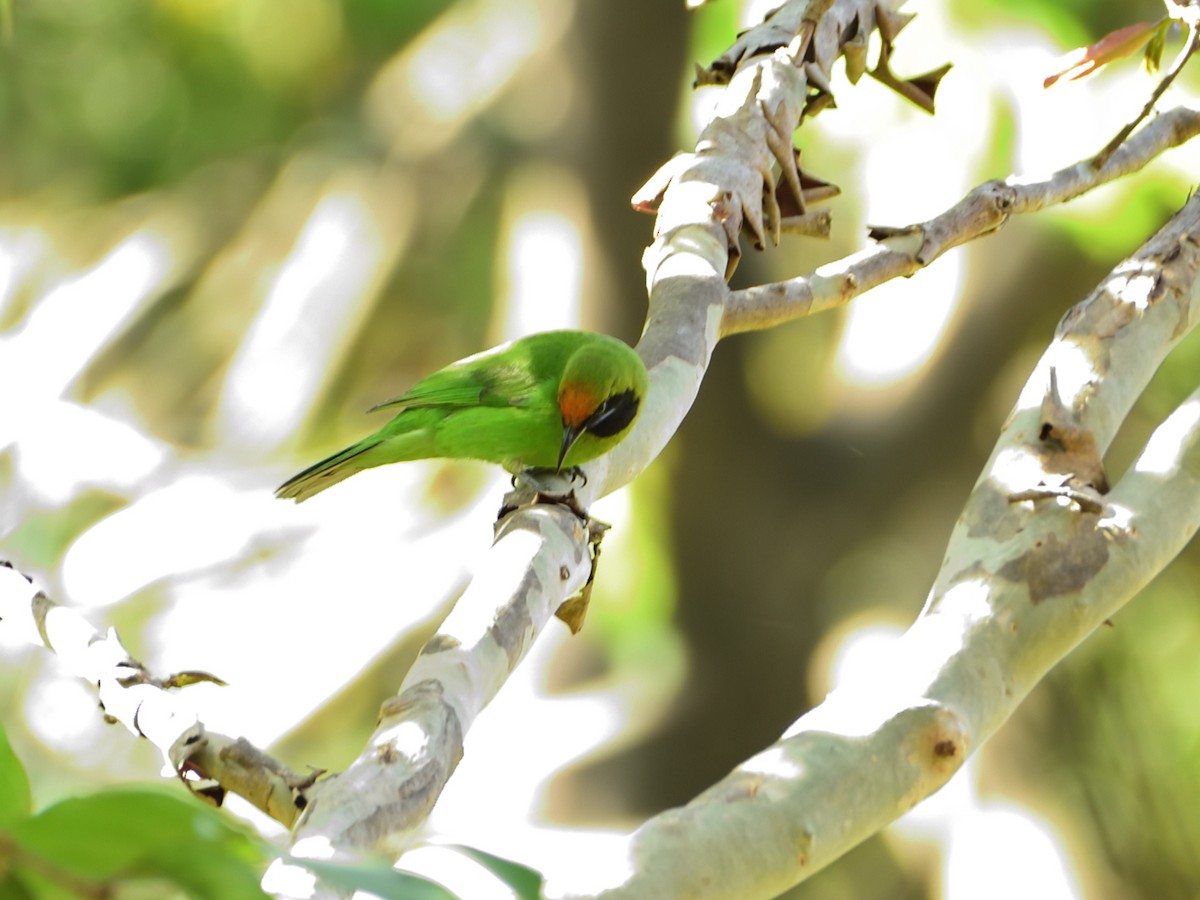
139, 832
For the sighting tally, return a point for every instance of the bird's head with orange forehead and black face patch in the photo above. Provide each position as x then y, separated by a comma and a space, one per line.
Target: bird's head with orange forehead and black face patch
599, 398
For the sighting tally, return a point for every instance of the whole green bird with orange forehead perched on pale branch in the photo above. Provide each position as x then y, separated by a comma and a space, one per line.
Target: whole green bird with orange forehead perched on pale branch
551, 400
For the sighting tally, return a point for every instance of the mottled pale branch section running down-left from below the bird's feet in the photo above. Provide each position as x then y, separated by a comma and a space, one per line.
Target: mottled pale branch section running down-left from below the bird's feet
539, 560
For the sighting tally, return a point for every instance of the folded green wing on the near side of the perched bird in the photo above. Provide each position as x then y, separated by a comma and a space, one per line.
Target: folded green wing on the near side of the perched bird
482, 382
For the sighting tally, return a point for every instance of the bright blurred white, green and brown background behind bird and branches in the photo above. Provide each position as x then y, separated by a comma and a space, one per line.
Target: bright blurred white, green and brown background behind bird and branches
229, 229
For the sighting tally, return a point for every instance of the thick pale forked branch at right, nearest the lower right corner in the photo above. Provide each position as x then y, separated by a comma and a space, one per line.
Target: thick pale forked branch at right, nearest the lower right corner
1023, 584
